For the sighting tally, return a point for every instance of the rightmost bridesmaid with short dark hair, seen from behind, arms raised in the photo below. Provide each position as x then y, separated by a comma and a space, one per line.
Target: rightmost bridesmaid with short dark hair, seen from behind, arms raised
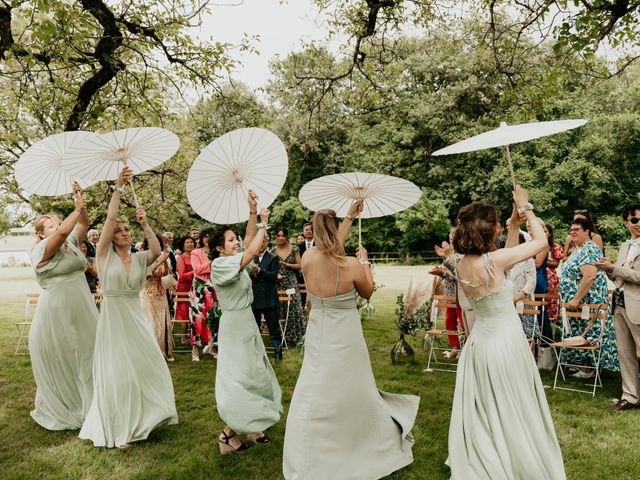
501, 426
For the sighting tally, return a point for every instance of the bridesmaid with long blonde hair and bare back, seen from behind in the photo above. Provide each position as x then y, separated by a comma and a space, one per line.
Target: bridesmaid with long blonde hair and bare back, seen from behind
339, 424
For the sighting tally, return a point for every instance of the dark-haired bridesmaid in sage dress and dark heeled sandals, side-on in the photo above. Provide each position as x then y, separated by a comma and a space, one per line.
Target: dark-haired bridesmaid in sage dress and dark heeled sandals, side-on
248, 396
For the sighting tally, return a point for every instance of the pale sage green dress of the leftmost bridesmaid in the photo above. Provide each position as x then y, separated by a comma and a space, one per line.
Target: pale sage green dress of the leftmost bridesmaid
61, 338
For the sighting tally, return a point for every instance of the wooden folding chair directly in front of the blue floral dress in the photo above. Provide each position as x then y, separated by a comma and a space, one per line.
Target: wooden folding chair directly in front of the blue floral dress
597, 312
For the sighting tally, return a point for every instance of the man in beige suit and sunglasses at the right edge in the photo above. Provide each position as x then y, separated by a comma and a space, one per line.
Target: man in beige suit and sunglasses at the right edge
626, 308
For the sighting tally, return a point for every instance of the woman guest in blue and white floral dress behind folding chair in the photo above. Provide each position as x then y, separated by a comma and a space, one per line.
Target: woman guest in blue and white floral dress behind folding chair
576, 287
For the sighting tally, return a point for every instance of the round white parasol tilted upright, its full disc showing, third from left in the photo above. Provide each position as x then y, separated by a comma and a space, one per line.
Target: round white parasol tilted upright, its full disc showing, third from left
224, 172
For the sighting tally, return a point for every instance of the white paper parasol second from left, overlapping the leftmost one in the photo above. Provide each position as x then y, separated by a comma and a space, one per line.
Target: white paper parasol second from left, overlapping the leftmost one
102, 157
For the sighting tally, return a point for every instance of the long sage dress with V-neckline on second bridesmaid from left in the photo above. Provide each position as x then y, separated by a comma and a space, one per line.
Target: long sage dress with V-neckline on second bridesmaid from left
133, 392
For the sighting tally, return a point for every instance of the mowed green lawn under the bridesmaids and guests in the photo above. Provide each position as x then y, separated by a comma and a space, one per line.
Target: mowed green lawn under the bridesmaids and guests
596, 444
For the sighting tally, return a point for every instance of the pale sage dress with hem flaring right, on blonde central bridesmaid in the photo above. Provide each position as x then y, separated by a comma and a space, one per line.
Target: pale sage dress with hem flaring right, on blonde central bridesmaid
340, 426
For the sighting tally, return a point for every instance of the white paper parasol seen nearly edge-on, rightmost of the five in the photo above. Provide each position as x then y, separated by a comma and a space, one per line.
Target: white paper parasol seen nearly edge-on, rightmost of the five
506, 135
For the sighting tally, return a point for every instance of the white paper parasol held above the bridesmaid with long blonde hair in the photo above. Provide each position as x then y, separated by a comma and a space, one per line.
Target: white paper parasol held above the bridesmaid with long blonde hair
382, 194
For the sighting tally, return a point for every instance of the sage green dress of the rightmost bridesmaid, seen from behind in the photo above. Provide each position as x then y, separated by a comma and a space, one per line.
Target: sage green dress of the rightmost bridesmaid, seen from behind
501, 427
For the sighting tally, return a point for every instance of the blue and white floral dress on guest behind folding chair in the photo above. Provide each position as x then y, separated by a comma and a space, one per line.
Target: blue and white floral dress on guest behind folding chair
570, 277
